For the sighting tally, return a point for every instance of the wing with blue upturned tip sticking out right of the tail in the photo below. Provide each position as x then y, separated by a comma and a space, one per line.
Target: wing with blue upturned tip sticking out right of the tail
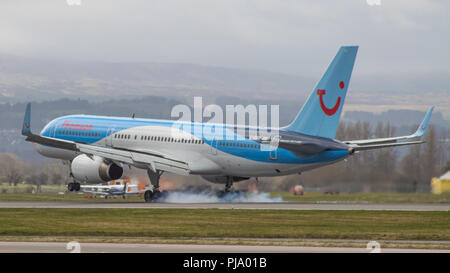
368, 144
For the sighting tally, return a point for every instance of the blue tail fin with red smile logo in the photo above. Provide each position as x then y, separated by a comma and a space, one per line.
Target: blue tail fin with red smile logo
320, 114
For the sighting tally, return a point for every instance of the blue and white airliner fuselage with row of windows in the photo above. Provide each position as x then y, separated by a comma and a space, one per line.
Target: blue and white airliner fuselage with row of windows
205, 151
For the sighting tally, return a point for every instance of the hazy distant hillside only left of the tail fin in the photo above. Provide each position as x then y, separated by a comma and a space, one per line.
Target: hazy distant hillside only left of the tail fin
33, 79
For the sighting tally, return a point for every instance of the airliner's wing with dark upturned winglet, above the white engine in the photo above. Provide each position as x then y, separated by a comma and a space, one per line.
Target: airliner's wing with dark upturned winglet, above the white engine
153, 160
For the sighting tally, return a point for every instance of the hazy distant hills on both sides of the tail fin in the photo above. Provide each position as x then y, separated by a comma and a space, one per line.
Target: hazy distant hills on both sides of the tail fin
31, 79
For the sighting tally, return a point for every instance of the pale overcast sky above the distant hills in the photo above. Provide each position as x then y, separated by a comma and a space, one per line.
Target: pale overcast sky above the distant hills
290, 36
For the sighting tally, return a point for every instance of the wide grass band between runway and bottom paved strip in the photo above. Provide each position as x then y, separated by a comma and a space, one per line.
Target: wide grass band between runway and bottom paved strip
218, 223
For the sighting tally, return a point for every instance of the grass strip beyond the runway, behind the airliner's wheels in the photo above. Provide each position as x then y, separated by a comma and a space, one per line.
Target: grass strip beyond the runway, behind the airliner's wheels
309, 197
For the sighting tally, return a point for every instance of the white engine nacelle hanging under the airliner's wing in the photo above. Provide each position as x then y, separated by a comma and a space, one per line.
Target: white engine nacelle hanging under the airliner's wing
94, 170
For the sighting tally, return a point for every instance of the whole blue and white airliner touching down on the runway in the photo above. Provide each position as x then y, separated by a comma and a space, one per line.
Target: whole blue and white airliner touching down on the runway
98, 147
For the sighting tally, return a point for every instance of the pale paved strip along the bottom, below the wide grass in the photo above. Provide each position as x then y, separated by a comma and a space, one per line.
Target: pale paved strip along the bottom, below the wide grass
44, 247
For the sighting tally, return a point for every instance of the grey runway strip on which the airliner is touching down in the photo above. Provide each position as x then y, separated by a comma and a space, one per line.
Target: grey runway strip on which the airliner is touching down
265, 206
